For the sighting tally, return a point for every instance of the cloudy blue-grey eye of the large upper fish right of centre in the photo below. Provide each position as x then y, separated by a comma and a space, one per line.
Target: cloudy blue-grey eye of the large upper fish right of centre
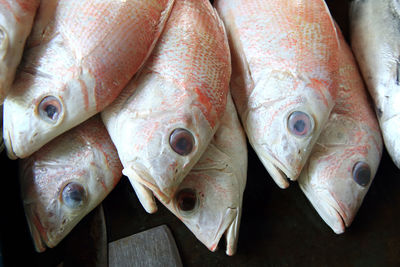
300, 123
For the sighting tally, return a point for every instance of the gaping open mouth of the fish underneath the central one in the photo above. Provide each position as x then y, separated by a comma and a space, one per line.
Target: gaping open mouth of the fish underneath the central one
229, 226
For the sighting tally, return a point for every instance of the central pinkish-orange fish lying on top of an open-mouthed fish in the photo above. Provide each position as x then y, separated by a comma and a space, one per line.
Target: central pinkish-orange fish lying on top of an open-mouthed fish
163, 121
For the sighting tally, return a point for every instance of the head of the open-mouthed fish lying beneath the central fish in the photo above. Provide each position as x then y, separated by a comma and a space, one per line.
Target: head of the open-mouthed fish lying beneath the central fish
209, 200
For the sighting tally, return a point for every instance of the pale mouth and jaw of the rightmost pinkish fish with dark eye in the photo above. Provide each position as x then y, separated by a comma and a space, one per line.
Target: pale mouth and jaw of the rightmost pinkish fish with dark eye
327, 207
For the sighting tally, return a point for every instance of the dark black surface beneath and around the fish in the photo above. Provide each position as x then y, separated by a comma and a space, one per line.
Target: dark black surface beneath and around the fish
278, 227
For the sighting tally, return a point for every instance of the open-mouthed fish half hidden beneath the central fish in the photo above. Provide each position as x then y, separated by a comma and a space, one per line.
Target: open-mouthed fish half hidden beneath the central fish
209, 199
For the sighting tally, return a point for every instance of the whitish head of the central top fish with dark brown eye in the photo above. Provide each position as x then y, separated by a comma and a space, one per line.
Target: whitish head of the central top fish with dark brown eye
160, 133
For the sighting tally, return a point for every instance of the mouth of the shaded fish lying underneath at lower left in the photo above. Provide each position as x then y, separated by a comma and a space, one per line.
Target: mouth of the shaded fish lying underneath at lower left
36, 228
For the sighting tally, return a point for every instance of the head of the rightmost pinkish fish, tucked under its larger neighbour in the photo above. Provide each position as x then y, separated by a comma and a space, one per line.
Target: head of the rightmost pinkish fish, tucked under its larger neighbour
340, 170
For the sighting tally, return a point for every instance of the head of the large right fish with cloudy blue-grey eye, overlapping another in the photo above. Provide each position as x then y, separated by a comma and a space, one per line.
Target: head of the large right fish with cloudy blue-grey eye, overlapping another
283, 124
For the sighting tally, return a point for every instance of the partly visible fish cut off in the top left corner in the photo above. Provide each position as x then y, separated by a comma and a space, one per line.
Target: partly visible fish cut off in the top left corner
16, 20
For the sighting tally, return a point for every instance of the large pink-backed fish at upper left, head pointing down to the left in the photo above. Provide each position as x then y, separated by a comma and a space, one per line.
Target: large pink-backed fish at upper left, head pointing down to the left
78, 58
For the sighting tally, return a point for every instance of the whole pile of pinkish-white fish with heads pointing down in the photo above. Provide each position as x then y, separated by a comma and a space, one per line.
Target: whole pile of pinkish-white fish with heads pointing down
159, 90
